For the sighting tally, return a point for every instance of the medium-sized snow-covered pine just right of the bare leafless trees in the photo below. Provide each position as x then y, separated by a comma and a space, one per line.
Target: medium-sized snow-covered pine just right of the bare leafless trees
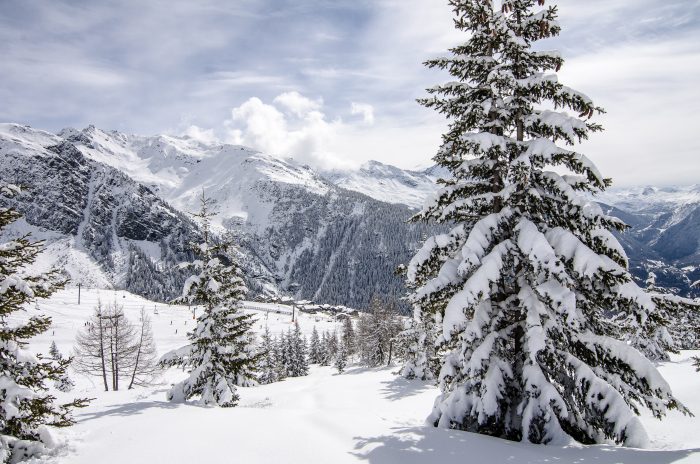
221, 353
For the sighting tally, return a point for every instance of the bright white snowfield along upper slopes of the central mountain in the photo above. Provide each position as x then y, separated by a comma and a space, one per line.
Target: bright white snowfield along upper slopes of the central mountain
179, 168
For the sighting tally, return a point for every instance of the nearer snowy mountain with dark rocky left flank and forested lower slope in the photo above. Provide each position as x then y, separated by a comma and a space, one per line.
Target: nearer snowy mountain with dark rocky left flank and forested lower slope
122, 198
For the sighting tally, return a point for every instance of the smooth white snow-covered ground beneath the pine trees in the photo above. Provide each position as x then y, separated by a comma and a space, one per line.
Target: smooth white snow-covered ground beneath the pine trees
361, 416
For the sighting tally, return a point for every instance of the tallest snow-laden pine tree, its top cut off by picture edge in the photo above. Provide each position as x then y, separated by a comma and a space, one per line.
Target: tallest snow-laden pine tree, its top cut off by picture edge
529, 272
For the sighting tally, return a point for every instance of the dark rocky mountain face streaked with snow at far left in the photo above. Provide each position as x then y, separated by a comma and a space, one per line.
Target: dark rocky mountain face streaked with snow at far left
122, 225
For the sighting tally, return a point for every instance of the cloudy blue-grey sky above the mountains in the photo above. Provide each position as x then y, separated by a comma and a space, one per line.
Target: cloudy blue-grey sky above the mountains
333, 82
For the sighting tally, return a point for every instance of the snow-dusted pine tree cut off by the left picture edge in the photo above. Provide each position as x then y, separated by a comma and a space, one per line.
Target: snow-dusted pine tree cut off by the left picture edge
25, 407
